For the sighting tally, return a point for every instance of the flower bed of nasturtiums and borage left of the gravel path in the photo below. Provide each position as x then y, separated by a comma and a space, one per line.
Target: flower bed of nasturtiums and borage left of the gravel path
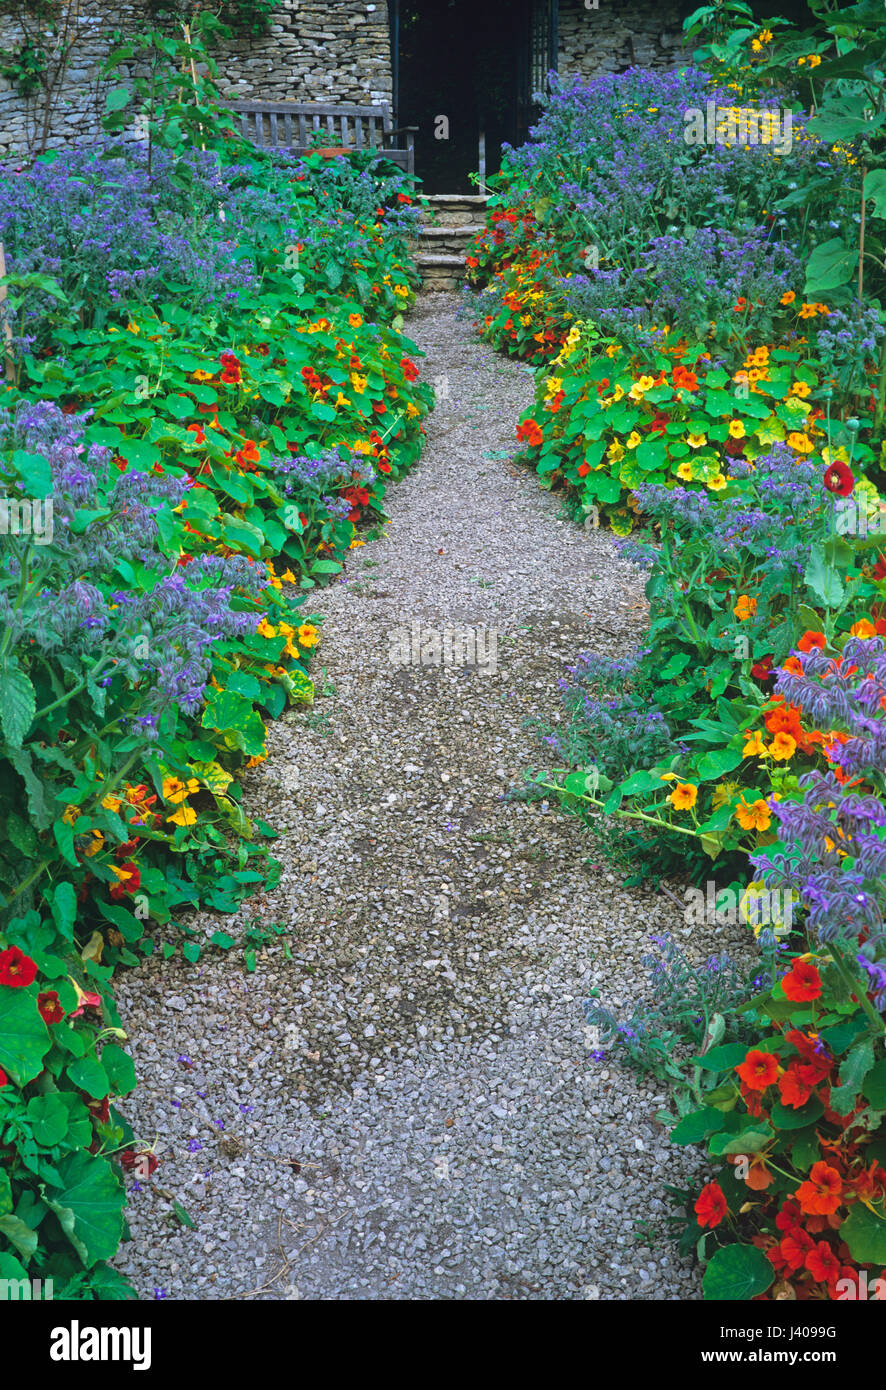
208, 390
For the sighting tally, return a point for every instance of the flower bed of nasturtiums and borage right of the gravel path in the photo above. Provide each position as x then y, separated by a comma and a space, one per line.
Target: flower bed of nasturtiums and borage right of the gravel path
706, 319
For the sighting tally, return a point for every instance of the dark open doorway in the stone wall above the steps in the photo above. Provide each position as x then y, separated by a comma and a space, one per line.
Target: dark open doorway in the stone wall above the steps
468, 67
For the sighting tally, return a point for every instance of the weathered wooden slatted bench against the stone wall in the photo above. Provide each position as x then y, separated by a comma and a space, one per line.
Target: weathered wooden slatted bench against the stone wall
289, 126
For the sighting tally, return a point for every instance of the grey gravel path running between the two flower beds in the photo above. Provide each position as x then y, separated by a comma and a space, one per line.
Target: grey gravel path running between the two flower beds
398, 1103
